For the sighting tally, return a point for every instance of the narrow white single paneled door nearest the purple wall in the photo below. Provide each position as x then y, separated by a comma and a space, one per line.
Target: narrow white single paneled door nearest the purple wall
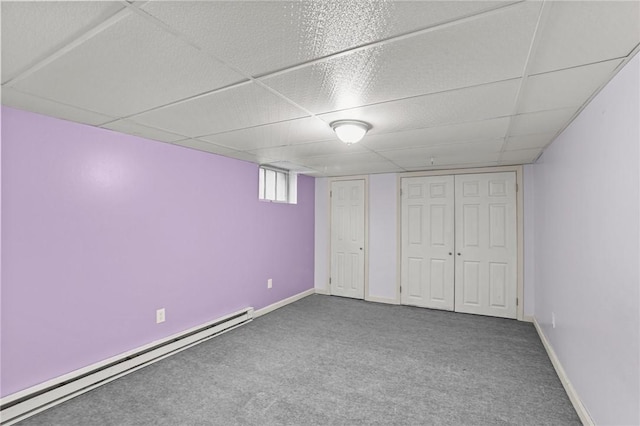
347, 239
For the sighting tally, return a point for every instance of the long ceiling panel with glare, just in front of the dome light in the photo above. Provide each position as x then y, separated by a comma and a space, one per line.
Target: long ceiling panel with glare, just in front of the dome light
493, 48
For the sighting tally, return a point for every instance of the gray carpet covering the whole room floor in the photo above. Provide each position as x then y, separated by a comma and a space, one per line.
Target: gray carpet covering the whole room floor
332, 361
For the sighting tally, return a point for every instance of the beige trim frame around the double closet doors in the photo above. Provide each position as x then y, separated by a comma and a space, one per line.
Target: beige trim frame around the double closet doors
519, 221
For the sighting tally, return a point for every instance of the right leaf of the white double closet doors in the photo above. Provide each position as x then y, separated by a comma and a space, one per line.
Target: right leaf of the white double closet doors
486, 251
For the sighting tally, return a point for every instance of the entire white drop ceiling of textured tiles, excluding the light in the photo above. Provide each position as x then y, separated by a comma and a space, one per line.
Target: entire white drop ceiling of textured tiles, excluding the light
444, 84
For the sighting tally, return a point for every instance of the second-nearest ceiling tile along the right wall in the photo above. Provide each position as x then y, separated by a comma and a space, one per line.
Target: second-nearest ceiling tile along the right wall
566, 88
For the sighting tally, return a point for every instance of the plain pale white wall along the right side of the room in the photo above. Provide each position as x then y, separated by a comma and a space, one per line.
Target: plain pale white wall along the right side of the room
587, 267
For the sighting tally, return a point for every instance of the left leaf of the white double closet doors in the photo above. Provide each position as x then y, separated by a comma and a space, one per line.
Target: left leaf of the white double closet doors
427, 274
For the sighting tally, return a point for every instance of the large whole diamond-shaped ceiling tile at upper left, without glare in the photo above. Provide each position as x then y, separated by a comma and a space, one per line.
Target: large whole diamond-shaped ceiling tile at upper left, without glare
130, 67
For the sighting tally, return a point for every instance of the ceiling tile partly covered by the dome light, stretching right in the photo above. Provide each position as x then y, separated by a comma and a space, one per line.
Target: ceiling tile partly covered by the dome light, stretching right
456, 106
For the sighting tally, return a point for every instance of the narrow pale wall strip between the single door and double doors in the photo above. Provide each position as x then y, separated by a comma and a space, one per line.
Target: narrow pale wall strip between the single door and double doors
383, 237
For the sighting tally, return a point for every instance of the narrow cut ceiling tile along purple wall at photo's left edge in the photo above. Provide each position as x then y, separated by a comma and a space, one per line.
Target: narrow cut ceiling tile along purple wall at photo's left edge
17, 99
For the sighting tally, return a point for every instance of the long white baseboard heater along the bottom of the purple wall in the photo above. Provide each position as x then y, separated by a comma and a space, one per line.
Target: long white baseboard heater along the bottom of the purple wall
23, 404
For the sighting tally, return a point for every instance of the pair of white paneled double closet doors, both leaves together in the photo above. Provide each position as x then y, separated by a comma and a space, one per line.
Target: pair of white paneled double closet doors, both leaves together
459, 243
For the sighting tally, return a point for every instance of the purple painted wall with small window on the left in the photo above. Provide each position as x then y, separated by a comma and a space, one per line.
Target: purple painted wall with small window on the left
100, 229
